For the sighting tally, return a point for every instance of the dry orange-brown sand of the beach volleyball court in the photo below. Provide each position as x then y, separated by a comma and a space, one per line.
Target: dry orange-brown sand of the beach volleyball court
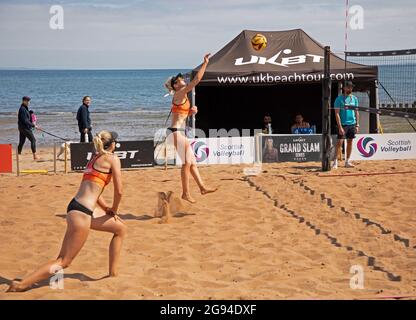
287, 233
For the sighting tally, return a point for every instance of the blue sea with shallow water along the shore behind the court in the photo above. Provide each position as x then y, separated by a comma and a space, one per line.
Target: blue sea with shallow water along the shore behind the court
130, 102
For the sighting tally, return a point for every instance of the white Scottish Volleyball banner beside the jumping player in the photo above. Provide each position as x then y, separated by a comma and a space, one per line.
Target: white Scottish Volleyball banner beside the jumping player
226, 150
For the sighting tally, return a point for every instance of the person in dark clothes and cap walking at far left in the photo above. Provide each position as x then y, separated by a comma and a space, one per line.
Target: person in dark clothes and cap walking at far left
25, 127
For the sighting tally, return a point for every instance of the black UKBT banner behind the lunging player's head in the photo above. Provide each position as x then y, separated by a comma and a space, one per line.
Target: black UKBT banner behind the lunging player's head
133, 154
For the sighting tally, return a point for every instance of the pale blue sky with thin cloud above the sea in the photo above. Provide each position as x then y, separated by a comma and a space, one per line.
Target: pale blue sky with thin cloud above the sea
157, 34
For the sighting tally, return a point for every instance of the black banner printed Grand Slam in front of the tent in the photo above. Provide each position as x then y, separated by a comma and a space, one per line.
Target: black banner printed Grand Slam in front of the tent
291, 148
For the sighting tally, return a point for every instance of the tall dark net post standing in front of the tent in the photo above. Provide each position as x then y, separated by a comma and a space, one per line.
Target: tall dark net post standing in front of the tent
326, 116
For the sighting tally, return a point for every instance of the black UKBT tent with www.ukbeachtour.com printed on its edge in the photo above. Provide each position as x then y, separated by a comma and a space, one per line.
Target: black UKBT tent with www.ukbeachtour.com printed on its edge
241, 84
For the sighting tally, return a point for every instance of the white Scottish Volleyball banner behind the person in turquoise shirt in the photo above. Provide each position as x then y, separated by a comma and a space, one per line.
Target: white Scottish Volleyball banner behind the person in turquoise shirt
384, 146
